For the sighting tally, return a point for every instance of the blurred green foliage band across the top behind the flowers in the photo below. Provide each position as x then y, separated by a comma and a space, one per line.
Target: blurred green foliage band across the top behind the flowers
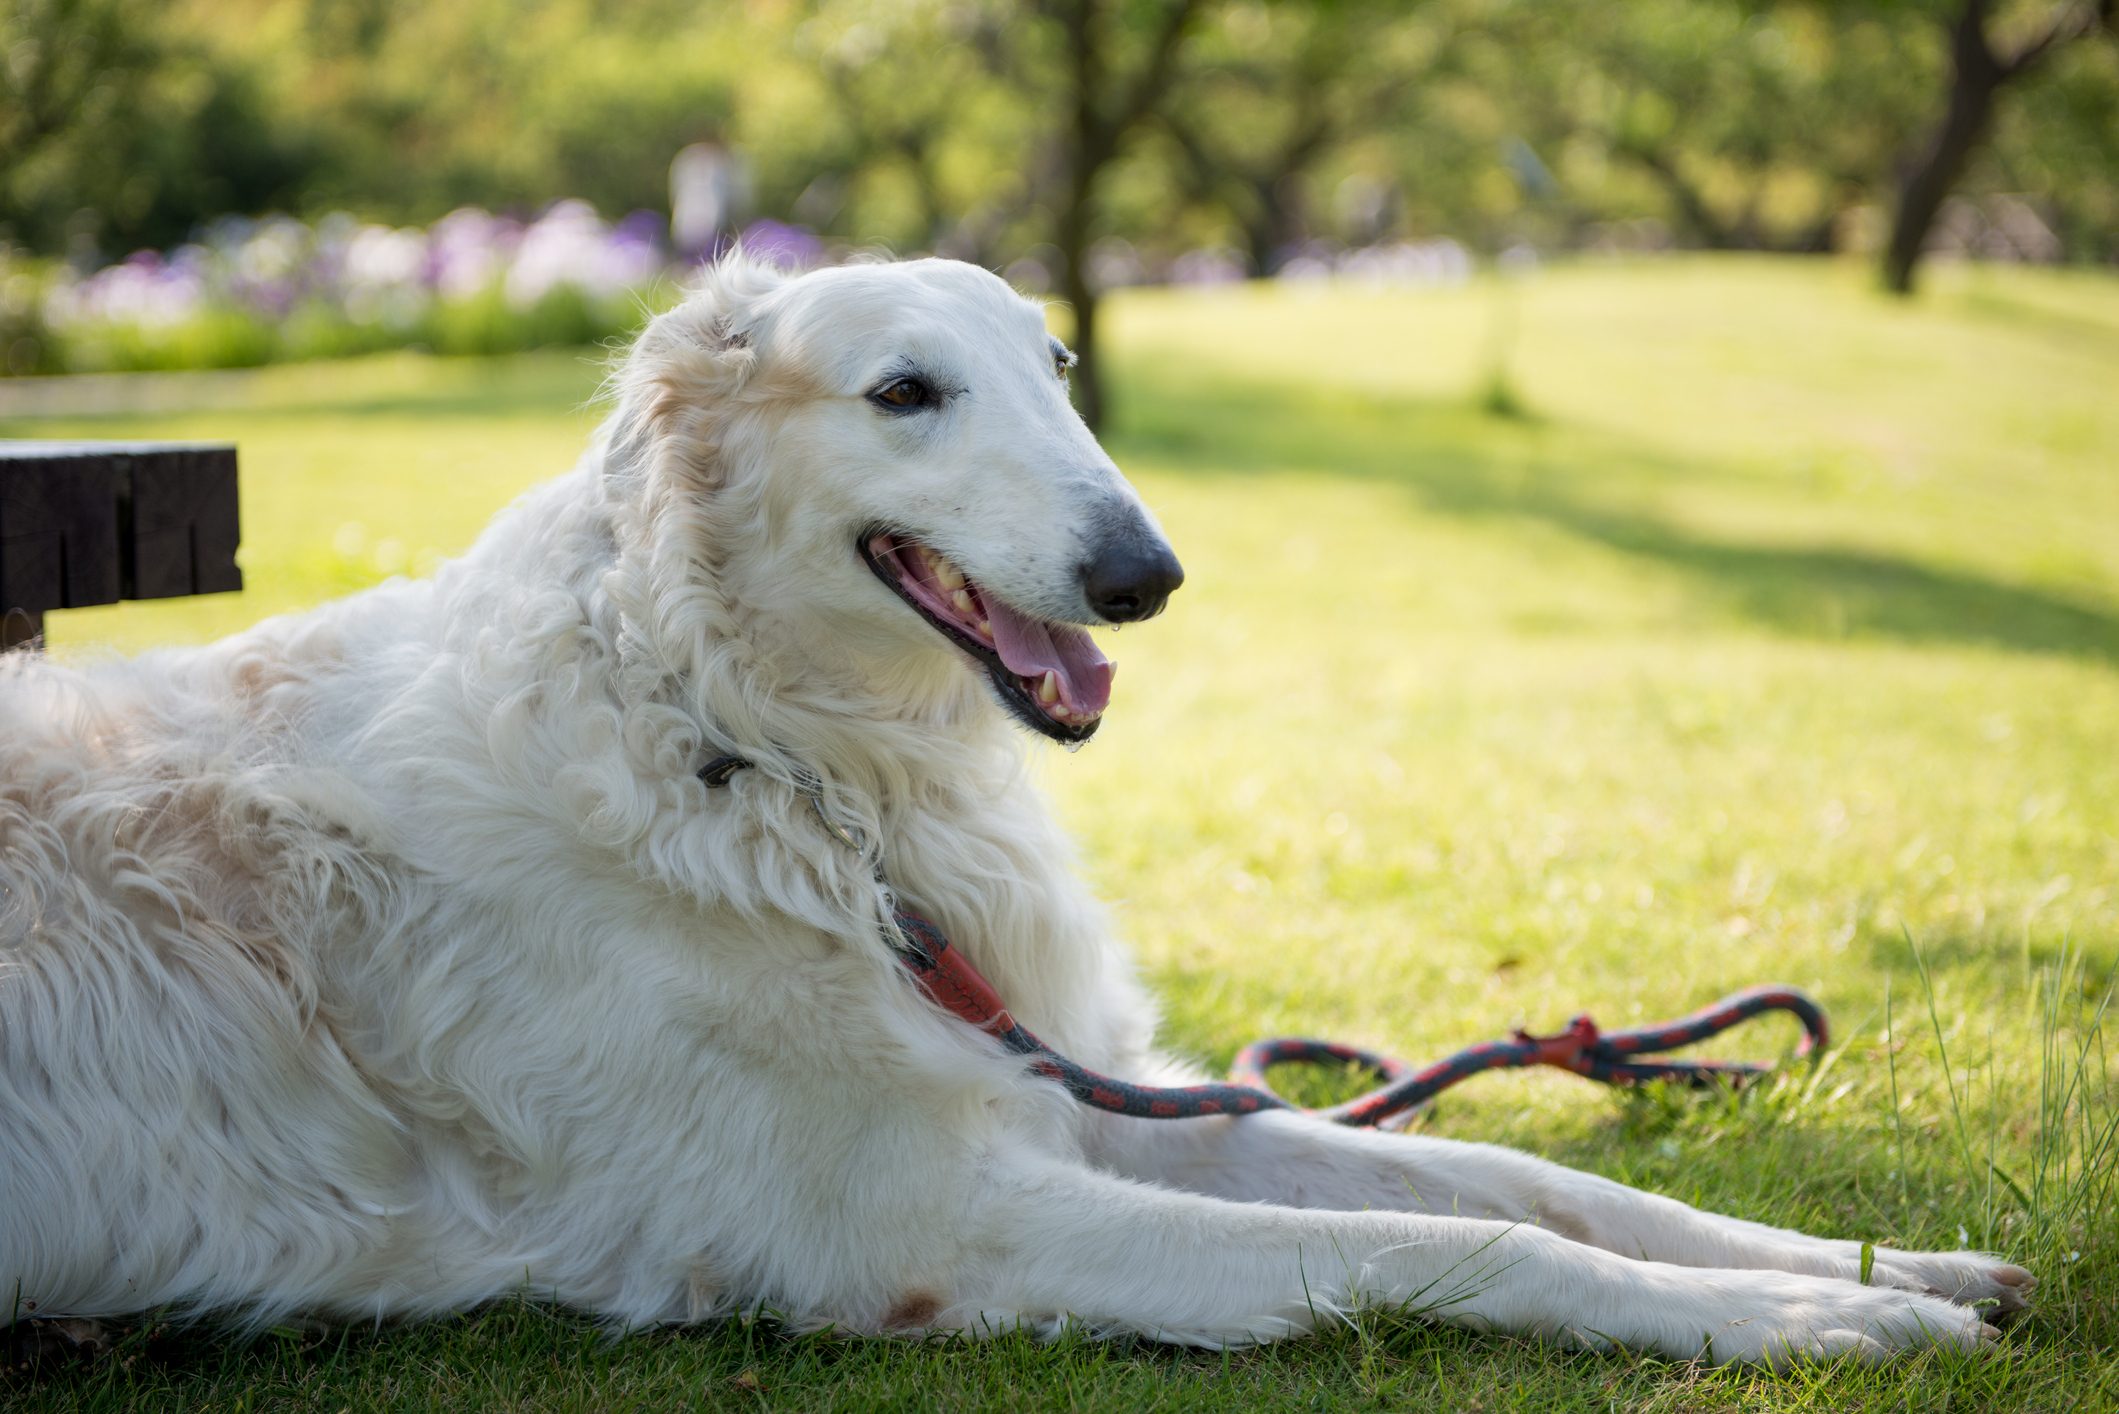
959, 124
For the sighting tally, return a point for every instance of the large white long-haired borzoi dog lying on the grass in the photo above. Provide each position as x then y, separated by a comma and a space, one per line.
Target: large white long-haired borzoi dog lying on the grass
393, 957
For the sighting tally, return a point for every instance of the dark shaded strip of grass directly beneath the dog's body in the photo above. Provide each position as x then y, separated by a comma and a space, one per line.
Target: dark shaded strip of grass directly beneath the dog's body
524, 1354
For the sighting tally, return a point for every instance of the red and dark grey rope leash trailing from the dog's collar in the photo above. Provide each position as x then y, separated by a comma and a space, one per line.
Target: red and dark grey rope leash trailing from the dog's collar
1609, 1057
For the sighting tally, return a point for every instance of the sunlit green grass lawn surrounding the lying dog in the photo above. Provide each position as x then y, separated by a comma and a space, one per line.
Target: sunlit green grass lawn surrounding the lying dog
1775, 639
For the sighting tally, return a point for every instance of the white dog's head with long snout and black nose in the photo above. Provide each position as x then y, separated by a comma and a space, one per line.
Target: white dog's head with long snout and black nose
880, 463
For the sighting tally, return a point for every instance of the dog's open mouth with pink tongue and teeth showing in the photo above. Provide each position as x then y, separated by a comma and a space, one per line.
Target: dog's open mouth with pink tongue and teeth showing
1050, 675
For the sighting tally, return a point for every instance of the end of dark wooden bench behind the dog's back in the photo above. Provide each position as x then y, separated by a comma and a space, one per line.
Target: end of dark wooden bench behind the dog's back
96, 523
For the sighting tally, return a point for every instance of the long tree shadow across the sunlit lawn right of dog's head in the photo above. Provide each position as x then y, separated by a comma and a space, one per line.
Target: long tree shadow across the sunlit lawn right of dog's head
1599, 489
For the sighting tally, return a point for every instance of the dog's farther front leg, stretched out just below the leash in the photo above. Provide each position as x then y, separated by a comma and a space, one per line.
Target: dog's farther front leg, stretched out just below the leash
1317, 1165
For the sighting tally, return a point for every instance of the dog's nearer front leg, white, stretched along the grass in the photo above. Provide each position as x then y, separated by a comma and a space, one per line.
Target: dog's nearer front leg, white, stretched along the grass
1054, 1243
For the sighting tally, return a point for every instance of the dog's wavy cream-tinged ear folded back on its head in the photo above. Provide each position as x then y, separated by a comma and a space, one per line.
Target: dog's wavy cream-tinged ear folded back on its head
683, 374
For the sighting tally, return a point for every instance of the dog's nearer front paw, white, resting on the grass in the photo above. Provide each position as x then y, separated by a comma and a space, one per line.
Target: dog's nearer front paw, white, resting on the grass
1779, 1320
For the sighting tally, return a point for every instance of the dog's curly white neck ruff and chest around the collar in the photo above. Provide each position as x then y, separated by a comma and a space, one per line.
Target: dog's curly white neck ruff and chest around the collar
626, 690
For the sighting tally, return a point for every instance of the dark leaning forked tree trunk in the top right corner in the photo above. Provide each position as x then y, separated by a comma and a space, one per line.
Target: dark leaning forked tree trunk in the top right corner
1978, 71
